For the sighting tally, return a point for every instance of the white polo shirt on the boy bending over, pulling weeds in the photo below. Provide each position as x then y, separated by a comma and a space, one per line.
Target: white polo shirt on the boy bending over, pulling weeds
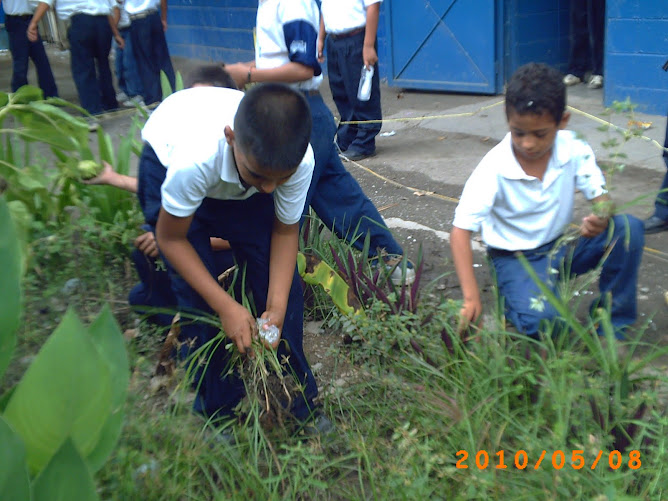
187, 134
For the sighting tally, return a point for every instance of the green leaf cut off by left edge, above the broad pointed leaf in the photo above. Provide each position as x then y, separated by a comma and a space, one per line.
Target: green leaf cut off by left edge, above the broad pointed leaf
10, 285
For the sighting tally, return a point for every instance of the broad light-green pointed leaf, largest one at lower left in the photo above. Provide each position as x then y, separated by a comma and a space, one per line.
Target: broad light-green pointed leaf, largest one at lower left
66, 391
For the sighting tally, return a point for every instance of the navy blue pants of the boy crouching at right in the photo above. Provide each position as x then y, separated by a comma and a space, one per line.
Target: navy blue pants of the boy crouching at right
619, 275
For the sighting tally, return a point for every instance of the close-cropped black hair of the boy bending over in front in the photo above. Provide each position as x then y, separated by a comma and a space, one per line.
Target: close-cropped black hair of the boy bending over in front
273, 125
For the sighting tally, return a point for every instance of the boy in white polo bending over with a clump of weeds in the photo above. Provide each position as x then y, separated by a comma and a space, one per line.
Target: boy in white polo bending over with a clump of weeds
220, 163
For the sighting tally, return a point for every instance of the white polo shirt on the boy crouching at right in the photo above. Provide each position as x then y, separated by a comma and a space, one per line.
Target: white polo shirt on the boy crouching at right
515, 211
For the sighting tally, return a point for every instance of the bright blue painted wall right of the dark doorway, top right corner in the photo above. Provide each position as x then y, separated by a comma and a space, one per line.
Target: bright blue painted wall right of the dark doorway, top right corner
636, 47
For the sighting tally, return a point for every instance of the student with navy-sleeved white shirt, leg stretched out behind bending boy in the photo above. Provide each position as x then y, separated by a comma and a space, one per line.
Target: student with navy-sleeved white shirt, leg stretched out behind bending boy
285, 51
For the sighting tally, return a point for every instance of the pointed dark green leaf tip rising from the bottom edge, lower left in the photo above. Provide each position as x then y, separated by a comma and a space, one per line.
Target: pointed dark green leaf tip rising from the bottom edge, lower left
65, 478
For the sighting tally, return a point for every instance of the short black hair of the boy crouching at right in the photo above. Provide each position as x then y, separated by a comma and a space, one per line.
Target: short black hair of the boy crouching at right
536, 88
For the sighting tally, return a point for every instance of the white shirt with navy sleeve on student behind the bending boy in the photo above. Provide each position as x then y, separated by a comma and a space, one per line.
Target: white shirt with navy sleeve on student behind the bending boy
299, 21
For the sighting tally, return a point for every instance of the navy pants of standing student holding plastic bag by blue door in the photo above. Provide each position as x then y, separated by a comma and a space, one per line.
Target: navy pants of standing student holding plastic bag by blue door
344, 66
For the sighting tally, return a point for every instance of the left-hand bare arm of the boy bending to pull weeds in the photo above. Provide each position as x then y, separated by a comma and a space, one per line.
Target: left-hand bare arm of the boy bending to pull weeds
237, 322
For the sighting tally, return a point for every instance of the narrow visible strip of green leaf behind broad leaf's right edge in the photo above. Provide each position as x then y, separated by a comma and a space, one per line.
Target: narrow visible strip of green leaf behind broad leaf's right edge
108, 339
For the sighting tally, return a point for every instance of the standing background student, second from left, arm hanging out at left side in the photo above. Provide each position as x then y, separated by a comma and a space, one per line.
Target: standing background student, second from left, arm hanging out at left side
89, 35
